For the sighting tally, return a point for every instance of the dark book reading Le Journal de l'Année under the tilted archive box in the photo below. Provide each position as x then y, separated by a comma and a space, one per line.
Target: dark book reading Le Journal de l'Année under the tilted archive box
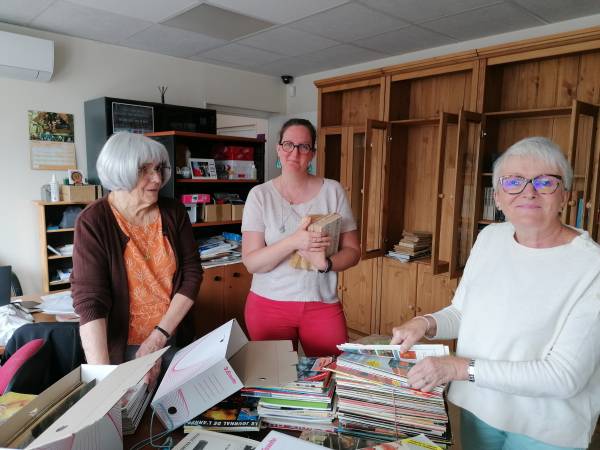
234, 414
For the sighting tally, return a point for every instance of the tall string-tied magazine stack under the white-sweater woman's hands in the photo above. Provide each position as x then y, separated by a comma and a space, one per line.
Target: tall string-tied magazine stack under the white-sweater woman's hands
375, 400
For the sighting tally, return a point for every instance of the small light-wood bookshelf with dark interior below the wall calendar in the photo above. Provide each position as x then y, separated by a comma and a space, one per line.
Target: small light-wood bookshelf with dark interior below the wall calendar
55, 235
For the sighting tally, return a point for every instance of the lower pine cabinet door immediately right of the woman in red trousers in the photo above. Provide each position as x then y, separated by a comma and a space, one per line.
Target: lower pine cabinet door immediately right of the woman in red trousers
357, 296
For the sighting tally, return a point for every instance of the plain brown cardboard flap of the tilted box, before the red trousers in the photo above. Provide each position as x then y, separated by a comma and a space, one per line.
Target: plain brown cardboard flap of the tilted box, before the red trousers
266, 363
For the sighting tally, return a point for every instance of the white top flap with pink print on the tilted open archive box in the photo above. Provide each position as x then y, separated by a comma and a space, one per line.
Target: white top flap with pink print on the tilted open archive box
201, 355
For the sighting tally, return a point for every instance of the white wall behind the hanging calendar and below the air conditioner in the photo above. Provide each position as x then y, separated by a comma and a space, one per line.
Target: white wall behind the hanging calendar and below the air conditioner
85, 70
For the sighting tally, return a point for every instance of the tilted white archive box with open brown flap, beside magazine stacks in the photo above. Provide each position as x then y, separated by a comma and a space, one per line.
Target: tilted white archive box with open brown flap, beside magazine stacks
216, 366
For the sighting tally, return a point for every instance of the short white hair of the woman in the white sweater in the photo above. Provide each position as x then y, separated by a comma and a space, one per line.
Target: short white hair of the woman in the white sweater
541, 149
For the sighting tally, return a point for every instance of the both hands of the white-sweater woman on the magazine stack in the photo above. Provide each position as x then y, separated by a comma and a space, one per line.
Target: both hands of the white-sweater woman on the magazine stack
431, 371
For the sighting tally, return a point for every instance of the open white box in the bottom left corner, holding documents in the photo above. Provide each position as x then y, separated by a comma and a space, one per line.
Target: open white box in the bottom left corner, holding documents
94, 422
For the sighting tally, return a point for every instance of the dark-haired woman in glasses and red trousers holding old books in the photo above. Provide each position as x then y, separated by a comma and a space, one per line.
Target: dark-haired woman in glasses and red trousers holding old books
285, 302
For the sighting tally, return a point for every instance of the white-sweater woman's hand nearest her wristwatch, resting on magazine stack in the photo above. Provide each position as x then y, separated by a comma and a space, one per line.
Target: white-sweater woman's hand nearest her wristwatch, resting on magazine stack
433, 371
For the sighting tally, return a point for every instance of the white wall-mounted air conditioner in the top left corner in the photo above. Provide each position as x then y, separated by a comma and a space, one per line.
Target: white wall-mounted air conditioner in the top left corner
26, 57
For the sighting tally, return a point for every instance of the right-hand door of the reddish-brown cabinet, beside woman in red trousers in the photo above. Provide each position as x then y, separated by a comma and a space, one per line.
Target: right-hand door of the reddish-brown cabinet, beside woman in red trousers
237, 286
